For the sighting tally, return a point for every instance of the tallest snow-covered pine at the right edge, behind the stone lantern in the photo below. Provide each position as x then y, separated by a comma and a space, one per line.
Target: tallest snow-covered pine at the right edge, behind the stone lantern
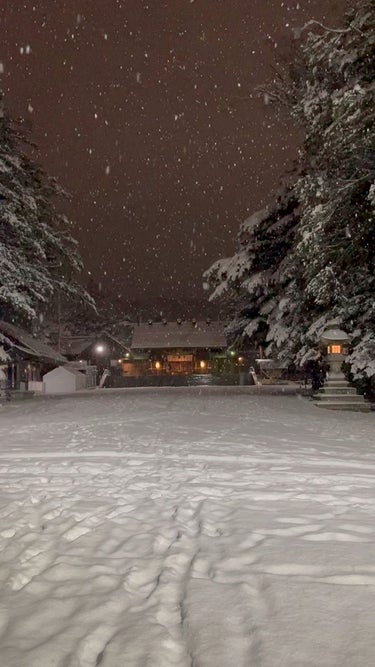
334, 101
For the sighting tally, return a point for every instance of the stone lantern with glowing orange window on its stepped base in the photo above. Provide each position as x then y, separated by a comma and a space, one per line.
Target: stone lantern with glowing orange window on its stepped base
337, 394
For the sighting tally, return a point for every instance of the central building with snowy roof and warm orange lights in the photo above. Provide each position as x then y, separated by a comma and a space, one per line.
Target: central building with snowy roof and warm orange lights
176, 348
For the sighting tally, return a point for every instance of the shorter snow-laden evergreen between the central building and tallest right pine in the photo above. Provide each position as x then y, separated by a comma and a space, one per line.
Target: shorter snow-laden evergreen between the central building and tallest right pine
259, 279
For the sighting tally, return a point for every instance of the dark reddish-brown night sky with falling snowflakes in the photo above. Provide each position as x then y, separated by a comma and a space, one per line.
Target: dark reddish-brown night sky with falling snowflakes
146, 113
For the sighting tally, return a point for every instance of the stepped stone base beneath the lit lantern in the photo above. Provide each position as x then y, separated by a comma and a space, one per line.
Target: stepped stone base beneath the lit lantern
337, 394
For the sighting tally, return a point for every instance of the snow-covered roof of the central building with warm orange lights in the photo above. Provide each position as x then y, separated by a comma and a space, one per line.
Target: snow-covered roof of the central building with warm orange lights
159, 335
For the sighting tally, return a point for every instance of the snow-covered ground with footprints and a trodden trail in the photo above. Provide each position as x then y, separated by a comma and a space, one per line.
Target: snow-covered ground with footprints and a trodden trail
188, 527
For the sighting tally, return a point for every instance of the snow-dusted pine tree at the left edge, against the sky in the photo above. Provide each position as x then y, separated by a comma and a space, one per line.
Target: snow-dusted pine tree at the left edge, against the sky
38, 256
